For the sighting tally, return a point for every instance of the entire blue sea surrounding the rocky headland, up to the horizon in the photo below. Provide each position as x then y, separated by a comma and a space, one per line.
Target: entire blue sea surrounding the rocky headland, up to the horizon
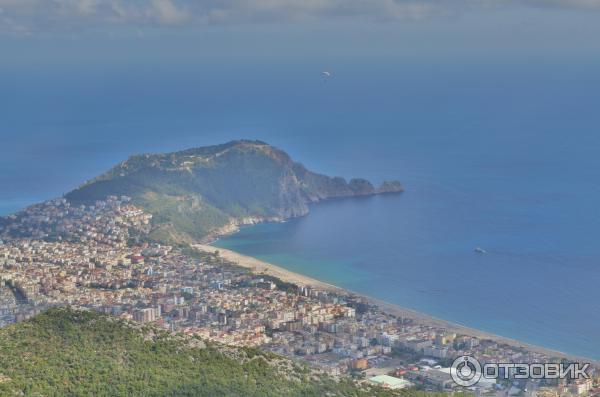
496, 154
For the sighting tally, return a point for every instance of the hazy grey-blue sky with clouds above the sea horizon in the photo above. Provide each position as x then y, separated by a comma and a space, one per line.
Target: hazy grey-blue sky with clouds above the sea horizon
57, 32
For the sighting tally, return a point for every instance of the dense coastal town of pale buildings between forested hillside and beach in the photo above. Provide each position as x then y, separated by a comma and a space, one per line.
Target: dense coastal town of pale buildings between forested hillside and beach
97, 257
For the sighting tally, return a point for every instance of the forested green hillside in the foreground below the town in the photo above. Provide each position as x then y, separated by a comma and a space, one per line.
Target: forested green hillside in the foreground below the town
65, 352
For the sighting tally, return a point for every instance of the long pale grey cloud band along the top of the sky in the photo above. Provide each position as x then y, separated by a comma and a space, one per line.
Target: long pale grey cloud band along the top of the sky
80, 15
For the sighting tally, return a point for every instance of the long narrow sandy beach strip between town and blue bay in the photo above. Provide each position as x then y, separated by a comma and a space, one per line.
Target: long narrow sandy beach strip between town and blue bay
261, 267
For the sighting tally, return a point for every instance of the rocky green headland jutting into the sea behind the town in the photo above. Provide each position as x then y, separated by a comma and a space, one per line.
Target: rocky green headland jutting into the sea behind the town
198, 193
